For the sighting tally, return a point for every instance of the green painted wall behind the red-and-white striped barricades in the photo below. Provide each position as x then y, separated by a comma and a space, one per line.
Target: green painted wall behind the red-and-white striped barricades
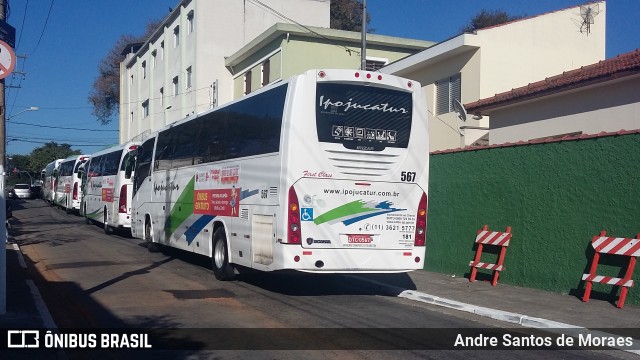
555, 196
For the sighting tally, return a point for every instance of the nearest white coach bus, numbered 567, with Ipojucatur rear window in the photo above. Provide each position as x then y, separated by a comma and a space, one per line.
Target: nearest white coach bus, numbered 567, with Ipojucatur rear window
326, 172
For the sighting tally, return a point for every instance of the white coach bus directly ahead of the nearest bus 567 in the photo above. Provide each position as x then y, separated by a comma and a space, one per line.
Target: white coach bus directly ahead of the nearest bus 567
108, 181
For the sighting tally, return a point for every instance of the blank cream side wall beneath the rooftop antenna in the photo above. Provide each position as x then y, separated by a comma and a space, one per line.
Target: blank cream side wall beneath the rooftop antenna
529, 50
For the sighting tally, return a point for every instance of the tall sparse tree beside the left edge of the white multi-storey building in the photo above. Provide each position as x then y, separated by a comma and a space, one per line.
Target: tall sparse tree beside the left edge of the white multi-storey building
105, 93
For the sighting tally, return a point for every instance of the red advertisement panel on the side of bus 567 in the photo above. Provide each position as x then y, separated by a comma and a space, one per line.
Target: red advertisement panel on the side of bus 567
217, 202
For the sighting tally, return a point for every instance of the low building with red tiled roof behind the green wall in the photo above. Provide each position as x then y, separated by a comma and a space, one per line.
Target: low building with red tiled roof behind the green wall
601, 97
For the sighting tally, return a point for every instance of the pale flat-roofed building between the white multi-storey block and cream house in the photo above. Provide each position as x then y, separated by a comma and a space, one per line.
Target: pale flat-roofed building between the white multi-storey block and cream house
285, 50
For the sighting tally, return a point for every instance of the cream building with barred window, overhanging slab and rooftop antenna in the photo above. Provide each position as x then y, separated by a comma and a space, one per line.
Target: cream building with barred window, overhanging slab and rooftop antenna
477, 65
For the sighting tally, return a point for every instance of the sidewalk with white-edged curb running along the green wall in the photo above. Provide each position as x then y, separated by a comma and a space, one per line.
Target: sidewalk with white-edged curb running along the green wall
506, 302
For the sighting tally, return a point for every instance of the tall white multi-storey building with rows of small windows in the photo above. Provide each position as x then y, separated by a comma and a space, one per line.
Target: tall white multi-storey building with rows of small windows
180, 70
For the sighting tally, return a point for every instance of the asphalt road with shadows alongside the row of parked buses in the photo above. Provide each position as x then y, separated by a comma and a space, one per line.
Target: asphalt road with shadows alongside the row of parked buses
90, 280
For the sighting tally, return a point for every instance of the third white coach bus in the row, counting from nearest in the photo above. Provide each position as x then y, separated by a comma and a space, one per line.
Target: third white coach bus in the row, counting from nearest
67, 187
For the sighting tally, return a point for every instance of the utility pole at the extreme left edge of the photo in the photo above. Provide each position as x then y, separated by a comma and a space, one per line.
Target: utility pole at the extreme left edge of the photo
3, 201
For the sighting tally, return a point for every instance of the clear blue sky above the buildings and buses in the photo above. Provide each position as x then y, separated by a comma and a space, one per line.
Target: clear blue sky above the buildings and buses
64, 41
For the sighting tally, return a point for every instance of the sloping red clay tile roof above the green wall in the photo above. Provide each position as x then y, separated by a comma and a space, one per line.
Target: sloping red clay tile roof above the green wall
620, 66
